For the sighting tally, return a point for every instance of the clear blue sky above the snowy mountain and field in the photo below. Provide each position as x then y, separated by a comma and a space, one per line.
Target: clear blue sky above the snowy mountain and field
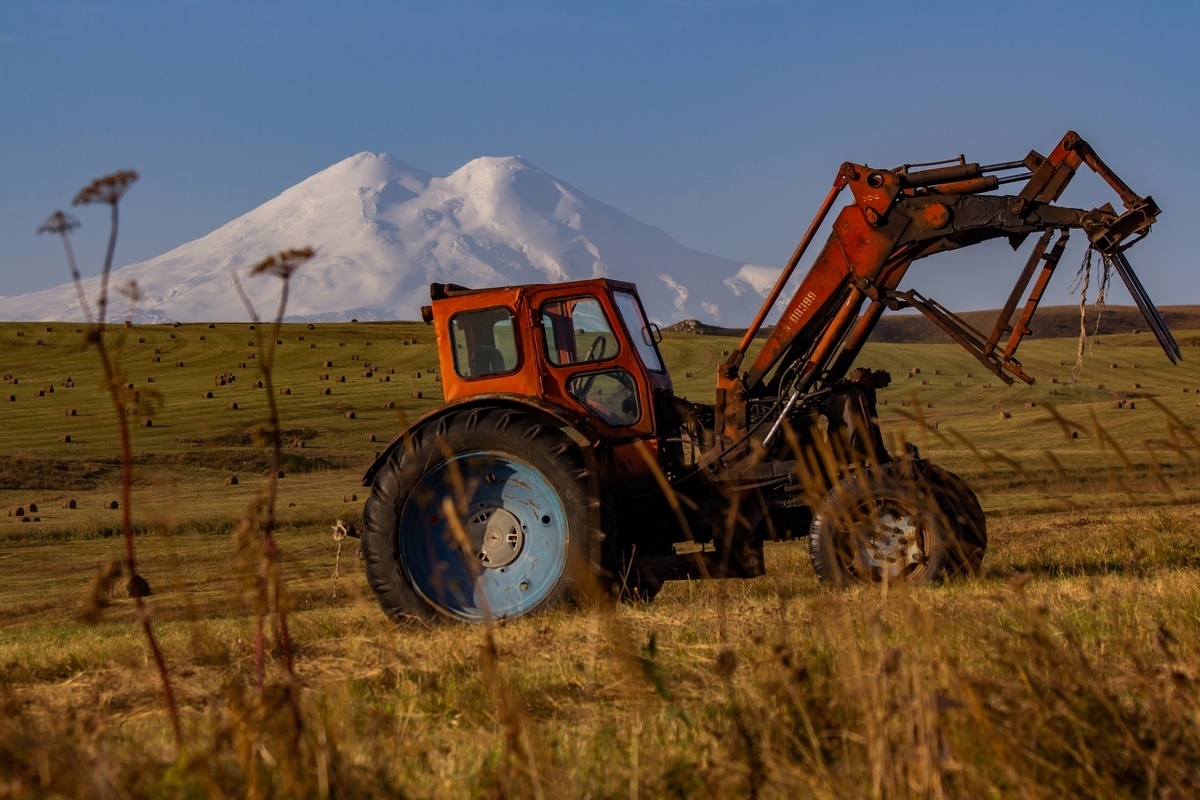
721, 122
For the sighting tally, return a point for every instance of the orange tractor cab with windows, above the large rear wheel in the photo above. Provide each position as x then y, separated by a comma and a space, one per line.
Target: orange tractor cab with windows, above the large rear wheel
585, 347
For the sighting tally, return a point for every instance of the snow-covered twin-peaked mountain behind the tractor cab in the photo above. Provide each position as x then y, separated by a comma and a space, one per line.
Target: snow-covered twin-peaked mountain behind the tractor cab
385, 231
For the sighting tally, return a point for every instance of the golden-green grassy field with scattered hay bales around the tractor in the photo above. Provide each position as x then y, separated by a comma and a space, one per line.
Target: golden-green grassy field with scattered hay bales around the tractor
1069, 669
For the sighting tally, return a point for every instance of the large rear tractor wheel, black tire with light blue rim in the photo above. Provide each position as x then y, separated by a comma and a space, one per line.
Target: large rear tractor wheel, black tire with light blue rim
520, 492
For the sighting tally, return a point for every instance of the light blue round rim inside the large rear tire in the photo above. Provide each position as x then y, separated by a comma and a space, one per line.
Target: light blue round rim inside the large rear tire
514, 522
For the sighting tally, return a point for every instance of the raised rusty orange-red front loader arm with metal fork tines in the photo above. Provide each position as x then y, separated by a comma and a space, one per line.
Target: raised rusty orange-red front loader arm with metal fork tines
897, 218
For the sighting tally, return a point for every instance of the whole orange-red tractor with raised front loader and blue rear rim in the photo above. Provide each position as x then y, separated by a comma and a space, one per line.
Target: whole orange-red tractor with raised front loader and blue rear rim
563, 465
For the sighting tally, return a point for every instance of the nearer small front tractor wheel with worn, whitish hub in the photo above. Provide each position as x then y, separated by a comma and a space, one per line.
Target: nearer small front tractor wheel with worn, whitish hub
880, 525
